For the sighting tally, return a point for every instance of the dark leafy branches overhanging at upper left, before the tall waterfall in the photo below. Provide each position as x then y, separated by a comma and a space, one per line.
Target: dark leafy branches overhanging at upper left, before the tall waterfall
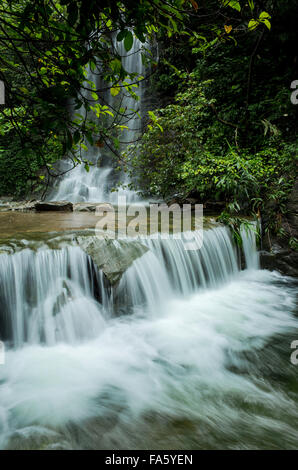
46, 47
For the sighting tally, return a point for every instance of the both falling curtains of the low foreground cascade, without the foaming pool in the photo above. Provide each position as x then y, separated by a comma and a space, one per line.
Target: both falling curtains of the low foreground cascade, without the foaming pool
54, 296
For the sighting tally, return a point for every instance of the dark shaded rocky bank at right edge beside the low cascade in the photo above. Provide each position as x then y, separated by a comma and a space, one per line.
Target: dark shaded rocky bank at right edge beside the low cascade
276, 253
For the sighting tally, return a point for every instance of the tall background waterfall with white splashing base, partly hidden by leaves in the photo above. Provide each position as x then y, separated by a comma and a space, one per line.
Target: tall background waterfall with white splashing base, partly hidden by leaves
95, 186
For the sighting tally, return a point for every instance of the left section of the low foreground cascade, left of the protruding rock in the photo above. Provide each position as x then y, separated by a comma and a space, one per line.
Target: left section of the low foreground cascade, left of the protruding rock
49, 297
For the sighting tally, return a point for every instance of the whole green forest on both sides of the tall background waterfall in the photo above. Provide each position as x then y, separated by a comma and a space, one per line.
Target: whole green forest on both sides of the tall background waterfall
222, 125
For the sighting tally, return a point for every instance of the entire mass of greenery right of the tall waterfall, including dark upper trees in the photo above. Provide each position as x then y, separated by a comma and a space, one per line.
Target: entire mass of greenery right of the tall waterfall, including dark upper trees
229, 127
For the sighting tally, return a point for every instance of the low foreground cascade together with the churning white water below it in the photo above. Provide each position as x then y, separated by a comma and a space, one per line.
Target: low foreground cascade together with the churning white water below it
167, 353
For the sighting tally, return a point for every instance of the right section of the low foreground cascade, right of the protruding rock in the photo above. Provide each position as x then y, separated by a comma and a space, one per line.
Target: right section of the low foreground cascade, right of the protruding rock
169, 268
